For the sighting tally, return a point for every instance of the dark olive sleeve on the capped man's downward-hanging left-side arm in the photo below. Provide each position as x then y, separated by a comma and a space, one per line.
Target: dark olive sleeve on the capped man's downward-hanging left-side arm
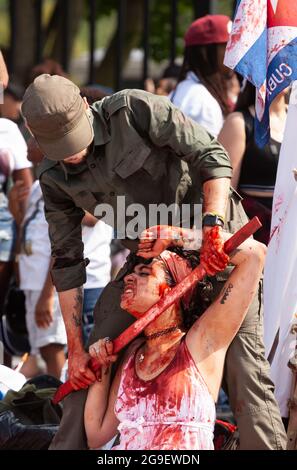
64, 220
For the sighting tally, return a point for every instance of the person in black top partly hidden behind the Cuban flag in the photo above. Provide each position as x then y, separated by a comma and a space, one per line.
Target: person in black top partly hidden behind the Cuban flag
254, 168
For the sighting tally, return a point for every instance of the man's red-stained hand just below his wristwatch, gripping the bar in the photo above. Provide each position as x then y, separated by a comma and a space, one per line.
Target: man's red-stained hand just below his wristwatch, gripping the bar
212, 255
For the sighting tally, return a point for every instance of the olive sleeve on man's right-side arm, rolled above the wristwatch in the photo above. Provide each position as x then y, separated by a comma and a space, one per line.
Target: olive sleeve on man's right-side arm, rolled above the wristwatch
166, 126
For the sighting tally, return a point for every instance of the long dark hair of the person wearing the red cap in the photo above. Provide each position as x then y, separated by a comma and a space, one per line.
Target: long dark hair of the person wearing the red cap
203, 61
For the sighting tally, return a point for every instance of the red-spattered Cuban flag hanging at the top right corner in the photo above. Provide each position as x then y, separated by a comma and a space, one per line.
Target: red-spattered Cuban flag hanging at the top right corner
263, 49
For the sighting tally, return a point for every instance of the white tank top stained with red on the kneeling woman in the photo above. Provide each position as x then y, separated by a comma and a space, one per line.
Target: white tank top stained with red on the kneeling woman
174, 411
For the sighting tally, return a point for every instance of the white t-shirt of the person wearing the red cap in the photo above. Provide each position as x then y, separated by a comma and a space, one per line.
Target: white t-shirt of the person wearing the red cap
194, 99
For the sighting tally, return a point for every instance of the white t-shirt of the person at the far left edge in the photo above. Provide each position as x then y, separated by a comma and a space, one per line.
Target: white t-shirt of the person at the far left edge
13, 149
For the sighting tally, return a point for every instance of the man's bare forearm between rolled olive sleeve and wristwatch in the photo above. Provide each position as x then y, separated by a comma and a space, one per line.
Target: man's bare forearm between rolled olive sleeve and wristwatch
215, 195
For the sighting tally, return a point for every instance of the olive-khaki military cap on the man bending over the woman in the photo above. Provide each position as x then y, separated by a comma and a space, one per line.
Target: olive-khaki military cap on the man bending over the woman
57, 116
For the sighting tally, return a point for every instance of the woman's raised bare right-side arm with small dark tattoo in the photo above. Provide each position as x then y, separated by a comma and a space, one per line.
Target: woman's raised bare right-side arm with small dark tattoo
211, 335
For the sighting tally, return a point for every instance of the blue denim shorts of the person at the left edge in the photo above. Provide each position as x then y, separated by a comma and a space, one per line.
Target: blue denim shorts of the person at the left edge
7, 231
